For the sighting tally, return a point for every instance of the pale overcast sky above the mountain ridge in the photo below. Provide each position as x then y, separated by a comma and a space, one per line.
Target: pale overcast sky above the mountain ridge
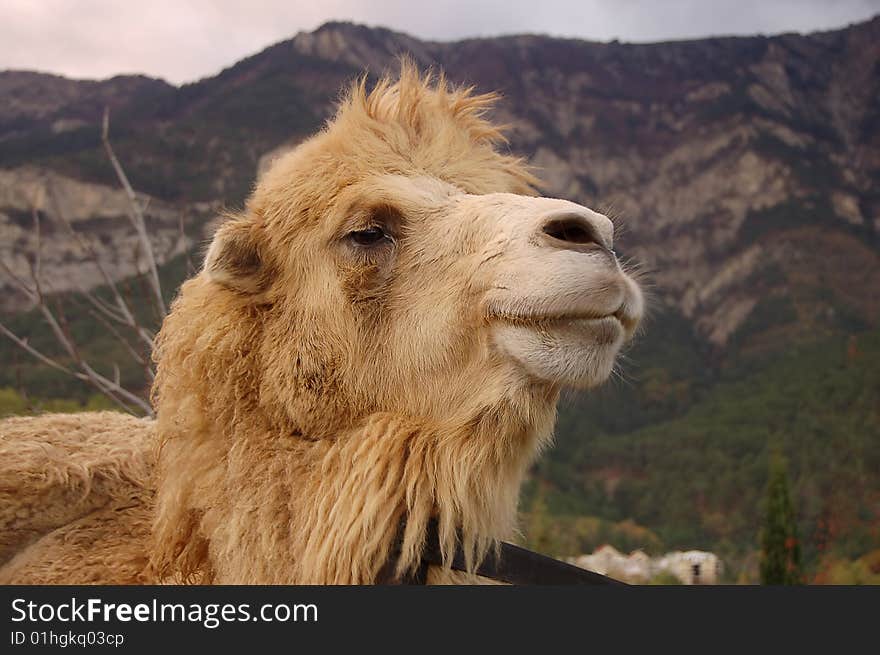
184, 40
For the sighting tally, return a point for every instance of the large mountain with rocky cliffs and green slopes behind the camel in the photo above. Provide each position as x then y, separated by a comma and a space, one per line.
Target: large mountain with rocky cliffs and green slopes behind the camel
744, 174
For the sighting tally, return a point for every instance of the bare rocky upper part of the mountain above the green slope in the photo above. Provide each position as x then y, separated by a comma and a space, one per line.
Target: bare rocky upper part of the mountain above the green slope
743, 171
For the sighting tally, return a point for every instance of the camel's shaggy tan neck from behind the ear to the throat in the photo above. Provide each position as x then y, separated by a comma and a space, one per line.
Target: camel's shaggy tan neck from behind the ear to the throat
241, 499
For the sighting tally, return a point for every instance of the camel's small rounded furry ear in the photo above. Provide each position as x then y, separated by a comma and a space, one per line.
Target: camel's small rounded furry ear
235, 259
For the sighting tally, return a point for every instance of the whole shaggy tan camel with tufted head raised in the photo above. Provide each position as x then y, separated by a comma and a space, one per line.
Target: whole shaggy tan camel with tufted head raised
378, 340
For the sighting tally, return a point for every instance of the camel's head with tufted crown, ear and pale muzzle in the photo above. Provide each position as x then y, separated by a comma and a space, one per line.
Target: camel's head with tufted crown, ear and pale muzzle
399, 262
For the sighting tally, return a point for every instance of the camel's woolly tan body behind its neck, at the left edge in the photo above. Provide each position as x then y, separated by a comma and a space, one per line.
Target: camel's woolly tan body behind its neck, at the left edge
74, 499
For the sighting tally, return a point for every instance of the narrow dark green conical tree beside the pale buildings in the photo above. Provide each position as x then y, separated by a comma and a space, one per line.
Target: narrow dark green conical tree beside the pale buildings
780, 549
